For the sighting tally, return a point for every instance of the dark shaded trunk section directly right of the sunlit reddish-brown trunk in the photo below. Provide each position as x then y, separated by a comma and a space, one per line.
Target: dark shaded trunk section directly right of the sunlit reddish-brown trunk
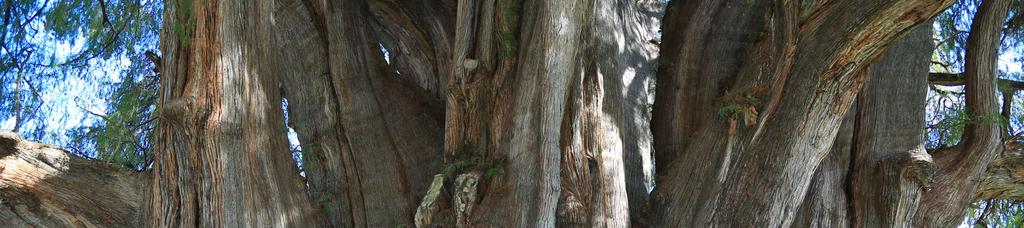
371, 143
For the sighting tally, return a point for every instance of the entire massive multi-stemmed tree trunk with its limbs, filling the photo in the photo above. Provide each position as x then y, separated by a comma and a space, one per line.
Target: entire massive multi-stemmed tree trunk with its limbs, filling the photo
534, 114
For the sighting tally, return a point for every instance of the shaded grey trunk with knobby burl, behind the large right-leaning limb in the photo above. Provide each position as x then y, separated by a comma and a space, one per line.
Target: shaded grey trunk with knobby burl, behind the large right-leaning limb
878, 169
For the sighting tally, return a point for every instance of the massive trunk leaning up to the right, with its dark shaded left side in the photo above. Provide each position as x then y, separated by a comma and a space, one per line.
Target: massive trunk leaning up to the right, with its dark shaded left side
756, 174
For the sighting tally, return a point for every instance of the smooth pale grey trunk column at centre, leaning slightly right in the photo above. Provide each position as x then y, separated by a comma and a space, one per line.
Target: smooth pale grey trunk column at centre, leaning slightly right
548, 62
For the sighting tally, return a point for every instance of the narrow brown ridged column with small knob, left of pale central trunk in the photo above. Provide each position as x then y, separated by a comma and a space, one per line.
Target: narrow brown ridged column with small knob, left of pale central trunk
479, 98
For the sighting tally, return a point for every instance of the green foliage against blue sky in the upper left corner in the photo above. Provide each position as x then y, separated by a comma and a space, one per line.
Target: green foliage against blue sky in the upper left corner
50, 45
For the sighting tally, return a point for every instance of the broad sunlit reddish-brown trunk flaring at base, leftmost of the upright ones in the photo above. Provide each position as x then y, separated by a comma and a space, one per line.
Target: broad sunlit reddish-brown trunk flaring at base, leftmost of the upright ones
224, 160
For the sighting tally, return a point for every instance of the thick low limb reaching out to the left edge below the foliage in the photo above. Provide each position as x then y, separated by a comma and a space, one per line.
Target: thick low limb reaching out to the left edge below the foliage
45, 187
